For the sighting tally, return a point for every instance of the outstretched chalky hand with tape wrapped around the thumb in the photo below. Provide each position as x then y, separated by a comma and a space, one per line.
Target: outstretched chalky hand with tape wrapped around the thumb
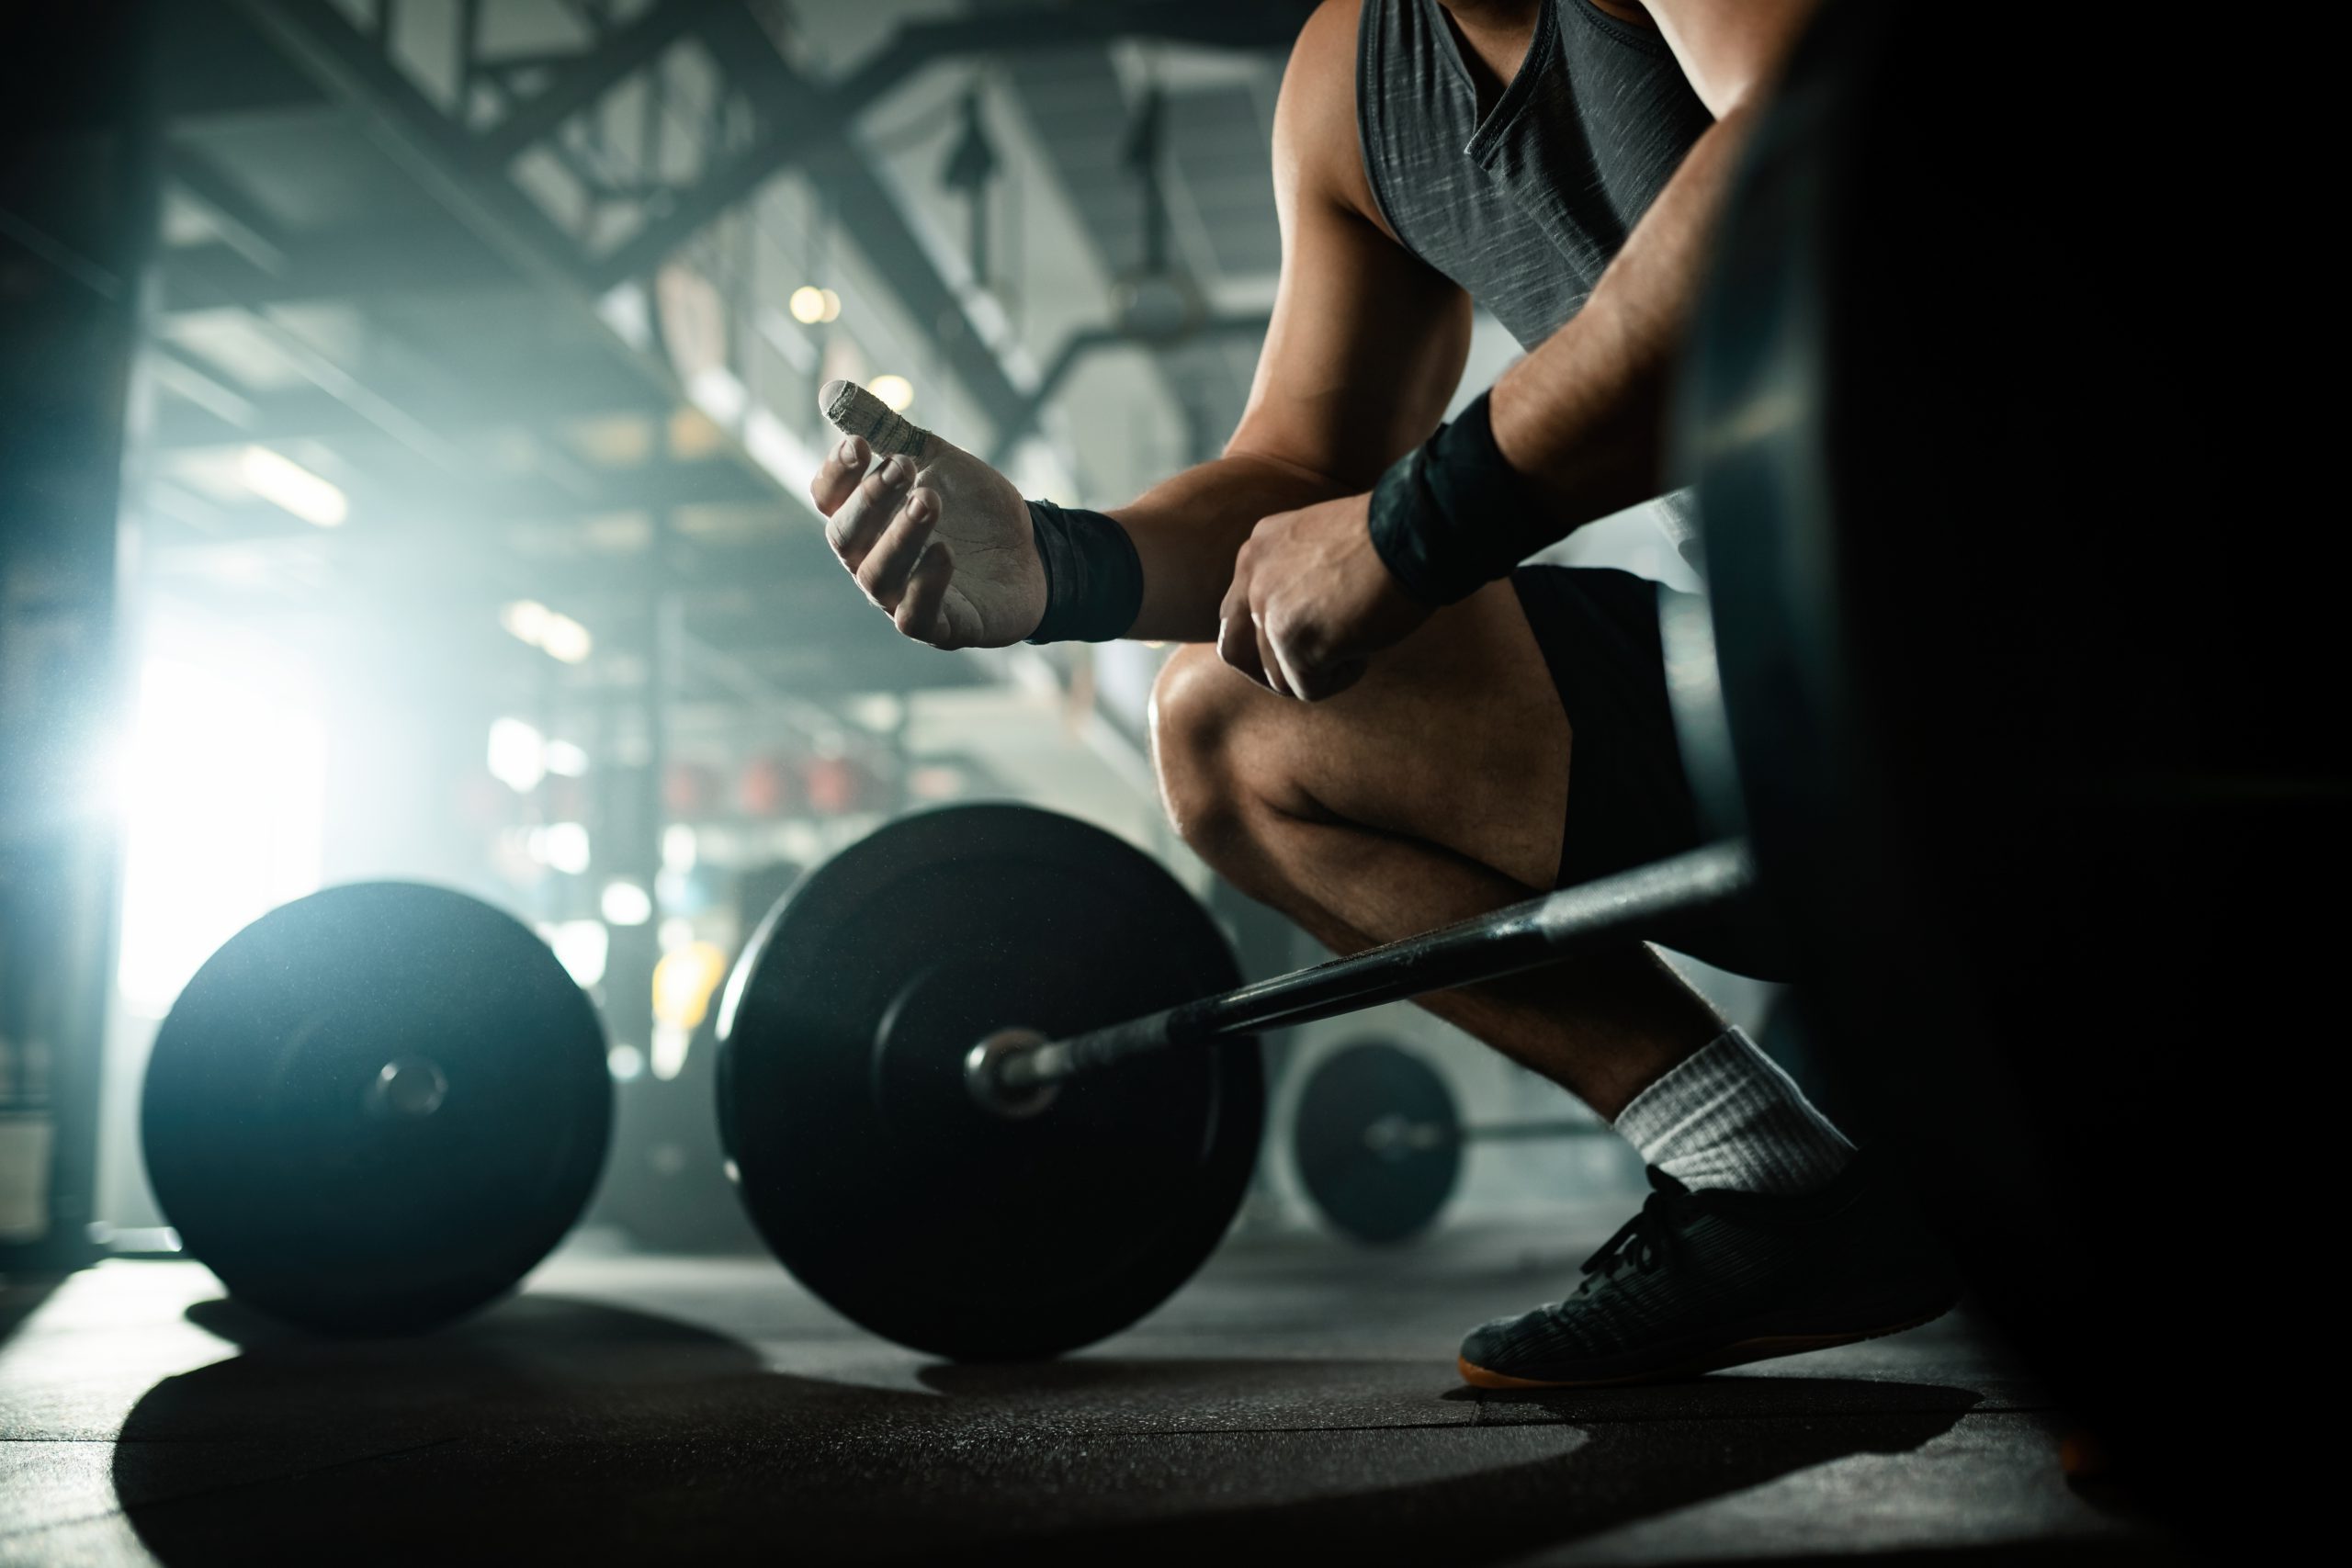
933, 535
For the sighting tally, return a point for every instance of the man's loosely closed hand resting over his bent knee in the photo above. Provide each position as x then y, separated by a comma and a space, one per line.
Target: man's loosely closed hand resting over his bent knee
1311, 603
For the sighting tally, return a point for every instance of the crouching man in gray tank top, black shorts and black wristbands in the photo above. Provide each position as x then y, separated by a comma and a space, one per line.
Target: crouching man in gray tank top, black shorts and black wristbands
1384, 721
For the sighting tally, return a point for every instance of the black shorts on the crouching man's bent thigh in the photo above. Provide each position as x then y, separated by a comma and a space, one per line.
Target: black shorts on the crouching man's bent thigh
1629, 798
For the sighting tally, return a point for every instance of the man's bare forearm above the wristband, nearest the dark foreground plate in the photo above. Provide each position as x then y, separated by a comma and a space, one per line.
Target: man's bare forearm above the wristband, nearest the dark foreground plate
1584, 417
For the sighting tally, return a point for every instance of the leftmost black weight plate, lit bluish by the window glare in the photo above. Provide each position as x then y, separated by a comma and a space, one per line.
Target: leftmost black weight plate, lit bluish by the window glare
286, 1170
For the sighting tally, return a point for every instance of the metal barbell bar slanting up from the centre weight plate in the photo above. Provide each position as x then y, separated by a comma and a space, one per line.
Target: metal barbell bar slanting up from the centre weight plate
1636, 904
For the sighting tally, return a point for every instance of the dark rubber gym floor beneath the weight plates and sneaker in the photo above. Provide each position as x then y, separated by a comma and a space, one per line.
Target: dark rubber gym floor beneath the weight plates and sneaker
1295, 1400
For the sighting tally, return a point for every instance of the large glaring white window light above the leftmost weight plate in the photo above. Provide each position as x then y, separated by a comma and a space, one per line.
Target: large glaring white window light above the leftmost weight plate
225, 796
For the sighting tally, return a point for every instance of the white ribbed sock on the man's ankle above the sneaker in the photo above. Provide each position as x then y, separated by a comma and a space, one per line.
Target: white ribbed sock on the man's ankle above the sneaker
1730, 1118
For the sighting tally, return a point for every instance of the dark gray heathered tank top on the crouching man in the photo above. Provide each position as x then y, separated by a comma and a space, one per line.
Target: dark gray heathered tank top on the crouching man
1528, 206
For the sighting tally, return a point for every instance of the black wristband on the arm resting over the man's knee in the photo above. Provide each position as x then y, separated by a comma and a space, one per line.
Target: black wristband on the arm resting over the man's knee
1452, 516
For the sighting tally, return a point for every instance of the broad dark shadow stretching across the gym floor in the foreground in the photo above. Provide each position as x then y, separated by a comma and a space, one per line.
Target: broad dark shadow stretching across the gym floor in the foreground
566, 1430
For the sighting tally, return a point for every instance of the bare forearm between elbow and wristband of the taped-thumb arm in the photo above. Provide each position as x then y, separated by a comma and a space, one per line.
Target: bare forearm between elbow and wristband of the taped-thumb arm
1191, 525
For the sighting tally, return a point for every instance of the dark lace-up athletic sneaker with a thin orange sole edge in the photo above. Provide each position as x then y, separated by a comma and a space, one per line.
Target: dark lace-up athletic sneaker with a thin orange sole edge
1704, 1280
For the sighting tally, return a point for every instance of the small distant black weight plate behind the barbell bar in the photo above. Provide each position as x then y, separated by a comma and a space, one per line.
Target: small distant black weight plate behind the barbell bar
1370, 1186
